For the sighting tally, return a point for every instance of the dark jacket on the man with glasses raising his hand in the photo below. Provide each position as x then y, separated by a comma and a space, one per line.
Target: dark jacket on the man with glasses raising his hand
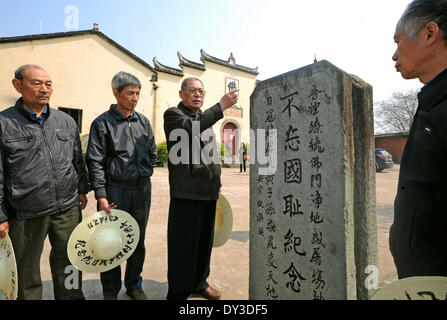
188, 180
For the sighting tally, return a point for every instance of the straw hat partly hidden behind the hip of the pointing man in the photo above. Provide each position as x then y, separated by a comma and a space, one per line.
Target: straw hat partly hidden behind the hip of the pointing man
223, 225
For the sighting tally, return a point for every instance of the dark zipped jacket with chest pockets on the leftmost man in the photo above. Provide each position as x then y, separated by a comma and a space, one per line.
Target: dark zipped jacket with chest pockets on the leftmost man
42, 170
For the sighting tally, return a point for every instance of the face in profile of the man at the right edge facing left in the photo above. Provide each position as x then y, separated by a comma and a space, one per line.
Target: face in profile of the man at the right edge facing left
409, 55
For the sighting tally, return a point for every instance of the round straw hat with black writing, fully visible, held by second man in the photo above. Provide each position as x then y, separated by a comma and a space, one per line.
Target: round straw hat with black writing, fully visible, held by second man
101, 242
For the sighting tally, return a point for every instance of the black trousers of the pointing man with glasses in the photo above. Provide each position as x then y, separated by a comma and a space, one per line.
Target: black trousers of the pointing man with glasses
190, 242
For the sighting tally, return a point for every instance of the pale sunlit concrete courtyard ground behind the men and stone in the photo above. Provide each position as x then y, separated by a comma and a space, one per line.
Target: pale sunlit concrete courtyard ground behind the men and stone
229, 263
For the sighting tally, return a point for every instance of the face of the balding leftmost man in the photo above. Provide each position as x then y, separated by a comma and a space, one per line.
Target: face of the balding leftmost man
36, 86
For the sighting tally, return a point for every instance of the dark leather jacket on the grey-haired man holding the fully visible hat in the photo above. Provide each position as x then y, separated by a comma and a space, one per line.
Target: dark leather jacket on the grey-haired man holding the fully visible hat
121, 151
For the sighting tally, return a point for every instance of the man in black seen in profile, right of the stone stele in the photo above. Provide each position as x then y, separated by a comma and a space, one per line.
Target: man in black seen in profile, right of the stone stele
418, 236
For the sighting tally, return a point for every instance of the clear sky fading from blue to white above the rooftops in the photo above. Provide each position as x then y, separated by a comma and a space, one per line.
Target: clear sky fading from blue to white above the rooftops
275, 35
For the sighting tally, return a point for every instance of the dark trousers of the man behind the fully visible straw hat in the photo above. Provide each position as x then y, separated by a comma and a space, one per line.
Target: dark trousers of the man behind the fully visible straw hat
137, 202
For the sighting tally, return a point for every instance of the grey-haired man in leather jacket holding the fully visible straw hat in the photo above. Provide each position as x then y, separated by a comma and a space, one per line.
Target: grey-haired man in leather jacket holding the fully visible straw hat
121, 154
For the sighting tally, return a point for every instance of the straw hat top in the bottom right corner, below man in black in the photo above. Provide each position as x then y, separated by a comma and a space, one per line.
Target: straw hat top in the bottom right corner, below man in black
414, 288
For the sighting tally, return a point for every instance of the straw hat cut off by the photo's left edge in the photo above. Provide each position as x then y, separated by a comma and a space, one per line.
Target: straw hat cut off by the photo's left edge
8, 269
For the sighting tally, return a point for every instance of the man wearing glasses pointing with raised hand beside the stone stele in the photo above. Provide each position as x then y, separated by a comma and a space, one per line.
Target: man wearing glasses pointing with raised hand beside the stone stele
194, 183
